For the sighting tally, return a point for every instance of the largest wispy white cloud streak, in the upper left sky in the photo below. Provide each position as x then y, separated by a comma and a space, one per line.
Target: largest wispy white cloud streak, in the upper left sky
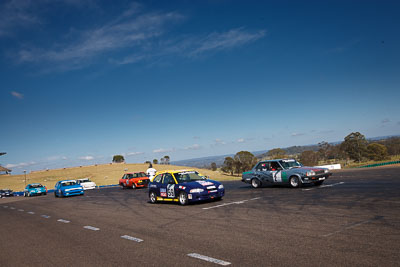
118, 34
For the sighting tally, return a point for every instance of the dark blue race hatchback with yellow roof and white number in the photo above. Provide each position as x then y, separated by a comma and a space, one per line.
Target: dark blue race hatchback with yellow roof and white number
184, 187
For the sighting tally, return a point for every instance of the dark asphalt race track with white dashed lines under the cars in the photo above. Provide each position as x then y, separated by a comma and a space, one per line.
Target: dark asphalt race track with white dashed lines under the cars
353, 219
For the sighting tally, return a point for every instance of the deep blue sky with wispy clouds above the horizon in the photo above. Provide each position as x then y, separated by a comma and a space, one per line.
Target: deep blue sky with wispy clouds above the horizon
83, 80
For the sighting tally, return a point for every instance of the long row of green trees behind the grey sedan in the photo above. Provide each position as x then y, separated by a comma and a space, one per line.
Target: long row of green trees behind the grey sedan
355, 147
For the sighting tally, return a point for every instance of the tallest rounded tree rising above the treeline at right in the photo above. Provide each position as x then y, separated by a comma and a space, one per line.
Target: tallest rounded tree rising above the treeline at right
355, 146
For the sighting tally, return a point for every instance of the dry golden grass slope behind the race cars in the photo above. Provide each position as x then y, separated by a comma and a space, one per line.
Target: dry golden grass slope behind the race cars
100, 174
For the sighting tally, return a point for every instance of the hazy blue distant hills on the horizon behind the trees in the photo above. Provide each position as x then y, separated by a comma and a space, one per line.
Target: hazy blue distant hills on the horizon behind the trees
205, 162
